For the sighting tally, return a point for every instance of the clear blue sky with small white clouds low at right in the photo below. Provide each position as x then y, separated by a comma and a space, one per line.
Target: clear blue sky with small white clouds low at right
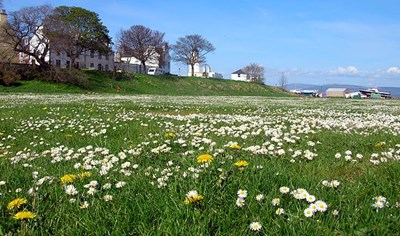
313, 41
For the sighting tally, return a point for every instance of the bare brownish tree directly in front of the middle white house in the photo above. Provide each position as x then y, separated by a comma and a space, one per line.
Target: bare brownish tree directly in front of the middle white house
142, 43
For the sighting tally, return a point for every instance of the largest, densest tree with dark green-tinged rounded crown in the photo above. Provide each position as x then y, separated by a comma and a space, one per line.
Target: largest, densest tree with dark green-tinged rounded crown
74, 30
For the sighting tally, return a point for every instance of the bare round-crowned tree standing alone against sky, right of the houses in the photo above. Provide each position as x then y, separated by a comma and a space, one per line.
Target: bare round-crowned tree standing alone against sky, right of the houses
191, 50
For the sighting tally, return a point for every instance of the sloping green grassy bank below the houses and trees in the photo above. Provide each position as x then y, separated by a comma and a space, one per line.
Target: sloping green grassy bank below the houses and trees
101, 82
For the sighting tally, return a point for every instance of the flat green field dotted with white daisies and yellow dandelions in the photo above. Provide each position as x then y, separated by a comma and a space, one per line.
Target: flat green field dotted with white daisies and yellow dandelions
165, 165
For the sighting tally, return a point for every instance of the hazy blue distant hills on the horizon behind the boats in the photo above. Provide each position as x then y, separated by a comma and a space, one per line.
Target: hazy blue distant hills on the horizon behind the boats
395, 91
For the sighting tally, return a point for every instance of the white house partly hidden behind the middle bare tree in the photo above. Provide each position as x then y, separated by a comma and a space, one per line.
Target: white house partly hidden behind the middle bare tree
132, 64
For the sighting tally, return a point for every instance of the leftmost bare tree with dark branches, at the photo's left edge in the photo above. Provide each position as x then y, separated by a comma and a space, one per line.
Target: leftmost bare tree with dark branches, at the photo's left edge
24, 31
